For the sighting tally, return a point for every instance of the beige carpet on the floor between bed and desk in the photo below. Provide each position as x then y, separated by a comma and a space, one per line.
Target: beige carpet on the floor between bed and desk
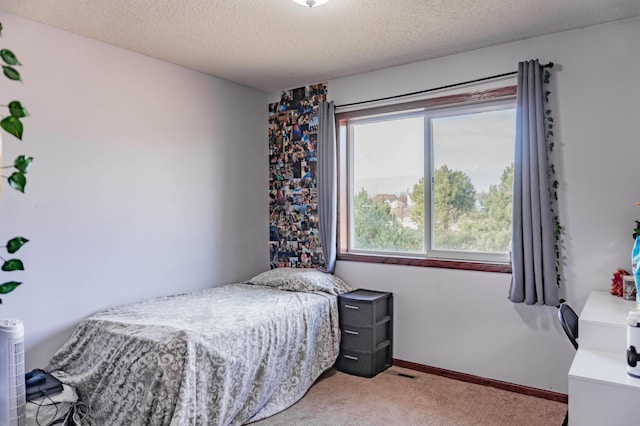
339, 399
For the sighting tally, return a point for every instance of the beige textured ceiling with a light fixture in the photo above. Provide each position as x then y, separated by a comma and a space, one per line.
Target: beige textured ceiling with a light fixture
276, 44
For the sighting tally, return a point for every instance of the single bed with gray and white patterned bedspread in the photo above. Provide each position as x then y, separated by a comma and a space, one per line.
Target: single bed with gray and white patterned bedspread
228, 355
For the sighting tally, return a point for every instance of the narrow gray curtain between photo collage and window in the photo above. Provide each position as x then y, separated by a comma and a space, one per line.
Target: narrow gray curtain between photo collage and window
327, 183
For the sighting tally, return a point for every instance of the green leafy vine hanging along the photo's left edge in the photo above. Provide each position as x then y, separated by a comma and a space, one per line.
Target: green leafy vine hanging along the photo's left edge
17, 180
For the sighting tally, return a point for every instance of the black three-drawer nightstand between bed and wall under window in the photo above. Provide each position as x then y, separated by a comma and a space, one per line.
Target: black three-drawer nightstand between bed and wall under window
366, 327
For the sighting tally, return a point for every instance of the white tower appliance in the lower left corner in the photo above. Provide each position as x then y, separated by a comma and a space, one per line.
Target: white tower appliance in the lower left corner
12, 387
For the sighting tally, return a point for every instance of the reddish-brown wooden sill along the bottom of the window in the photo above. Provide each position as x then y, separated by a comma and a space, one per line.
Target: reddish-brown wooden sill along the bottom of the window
429, 263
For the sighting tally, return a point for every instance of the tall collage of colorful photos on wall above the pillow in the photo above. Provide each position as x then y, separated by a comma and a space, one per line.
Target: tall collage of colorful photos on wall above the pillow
293, 190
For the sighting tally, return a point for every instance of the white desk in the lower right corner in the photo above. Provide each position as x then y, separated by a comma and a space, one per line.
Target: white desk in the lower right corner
600, 391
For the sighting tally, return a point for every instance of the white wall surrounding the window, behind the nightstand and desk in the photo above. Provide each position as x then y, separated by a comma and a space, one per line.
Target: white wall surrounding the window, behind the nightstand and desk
462, 320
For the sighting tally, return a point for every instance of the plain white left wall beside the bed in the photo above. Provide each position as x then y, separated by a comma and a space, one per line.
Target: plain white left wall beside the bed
149, 179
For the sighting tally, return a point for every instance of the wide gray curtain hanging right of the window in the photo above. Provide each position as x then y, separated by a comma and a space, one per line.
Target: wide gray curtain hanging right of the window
534, 279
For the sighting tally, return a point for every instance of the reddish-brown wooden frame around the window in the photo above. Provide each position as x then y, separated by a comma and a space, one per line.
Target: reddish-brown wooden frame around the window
465, 100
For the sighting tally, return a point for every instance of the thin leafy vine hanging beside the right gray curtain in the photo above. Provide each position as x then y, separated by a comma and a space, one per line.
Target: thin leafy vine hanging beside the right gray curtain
550, 138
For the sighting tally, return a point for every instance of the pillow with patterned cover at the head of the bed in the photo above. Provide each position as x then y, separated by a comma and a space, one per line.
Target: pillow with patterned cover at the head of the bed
304, 280
